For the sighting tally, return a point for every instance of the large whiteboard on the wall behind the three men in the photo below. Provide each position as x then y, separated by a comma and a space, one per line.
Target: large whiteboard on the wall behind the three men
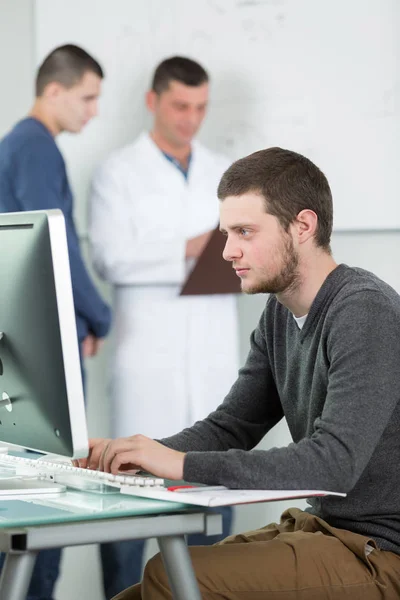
320, 78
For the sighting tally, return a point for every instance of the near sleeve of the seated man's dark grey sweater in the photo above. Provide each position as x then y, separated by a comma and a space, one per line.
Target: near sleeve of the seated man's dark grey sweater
363, 348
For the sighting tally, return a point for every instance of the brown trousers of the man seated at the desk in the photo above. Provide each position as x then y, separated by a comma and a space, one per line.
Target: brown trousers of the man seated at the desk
301, 558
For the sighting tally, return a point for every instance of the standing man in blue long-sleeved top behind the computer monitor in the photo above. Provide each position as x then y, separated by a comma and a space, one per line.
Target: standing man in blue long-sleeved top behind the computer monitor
33, 177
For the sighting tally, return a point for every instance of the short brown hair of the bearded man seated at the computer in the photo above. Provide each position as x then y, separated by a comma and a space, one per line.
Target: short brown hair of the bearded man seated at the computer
288, 182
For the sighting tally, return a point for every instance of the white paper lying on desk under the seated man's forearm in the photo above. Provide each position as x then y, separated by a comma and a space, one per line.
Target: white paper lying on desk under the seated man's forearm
223, 497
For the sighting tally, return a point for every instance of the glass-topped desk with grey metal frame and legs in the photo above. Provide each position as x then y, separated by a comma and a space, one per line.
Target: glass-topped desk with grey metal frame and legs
77, 518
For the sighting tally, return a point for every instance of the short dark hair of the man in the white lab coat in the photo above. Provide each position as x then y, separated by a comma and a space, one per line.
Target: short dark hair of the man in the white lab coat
178, 68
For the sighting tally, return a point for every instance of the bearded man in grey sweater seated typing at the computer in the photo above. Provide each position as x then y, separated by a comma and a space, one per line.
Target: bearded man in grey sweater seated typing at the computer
325, 355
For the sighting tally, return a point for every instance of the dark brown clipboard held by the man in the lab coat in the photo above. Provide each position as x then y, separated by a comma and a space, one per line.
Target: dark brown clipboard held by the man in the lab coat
211, 273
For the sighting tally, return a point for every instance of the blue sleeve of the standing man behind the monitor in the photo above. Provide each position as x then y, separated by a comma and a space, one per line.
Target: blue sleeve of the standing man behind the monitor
38, 181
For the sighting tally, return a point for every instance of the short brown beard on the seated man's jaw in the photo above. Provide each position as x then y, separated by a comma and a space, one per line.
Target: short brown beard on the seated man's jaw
287, 279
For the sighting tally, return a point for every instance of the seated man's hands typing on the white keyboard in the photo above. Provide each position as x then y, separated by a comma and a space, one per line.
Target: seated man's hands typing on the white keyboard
134, 452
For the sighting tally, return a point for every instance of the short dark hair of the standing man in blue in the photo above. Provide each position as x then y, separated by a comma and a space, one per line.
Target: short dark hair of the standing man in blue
66, 65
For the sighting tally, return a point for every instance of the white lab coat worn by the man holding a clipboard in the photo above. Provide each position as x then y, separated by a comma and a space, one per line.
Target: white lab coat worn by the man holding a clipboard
175, 358
